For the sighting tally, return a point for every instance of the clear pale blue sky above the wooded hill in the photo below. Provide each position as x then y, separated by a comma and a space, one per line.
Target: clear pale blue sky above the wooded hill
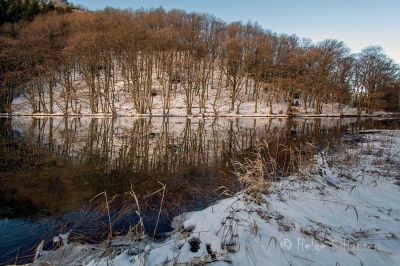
359, 23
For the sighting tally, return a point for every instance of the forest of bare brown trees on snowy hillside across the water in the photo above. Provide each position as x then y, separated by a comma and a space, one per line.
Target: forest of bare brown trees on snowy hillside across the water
69, 60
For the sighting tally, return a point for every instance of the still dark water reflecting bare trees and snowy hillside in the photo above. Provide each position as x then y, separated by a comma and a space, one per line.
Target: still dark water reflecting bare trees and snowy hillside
52, 168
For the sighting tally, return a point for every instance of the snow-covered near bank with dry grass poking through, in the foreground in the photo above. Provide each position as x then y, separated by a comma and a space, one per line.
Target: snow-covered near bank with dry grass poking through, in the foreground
344, 210
